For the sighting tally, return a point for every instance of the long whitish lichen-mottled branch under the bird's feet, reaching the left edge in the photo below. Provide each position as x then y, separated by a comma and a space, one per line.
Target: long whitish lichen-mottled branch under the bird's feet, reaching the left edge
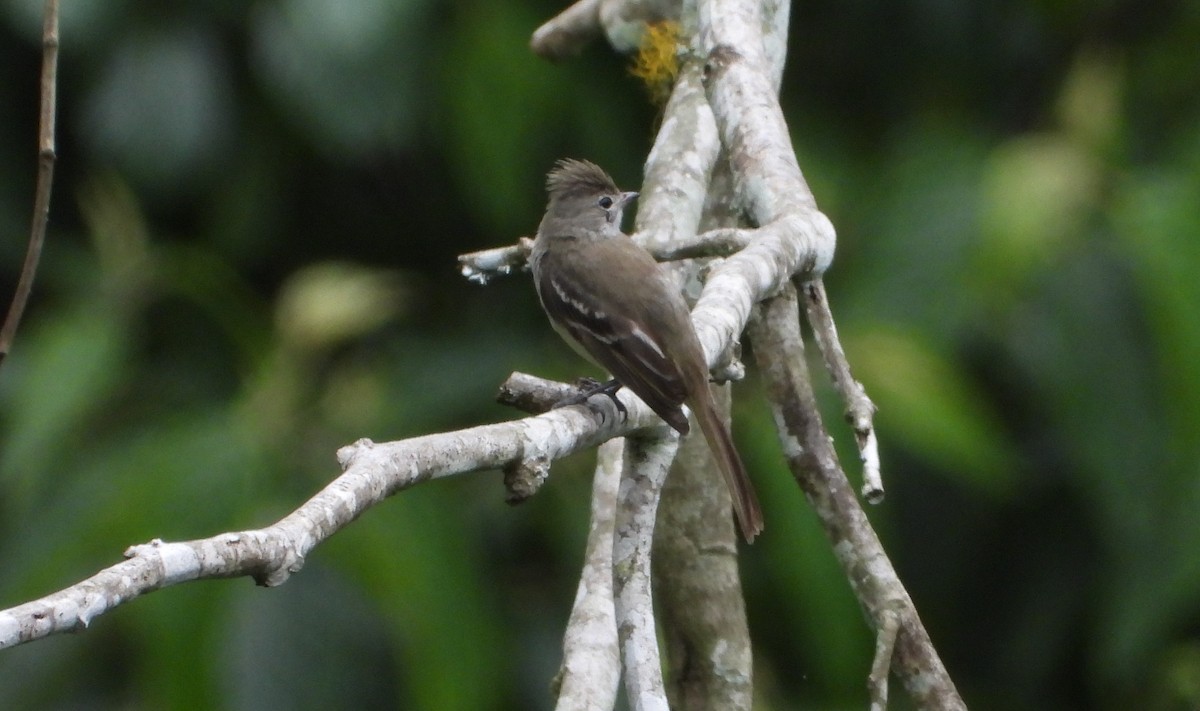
373, 473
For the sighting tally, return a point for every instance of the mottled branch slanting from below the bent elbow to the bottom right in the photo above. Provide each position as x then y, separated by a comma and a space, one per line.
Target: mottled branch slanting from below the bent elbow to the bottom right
776, 334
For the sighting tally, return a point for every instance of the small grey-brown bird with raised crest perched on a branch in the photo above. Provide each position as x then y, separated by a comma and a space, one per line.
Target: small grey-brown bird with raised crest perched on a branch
609, 300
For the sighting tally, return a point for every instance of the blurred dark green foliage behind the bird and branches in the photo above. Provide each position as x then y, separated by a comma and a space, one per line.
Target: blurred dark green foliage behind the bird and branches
251, 262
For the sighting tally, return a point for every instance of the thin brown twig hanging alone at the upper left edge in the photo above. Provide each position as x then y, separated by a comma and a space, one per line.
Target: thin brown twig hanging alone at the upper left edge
45, 178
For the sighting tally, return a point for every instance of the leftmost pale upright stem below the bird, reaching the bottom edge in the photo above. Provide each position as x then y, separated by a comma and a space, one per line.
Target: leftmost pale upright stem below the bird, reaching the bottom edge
591, 670
